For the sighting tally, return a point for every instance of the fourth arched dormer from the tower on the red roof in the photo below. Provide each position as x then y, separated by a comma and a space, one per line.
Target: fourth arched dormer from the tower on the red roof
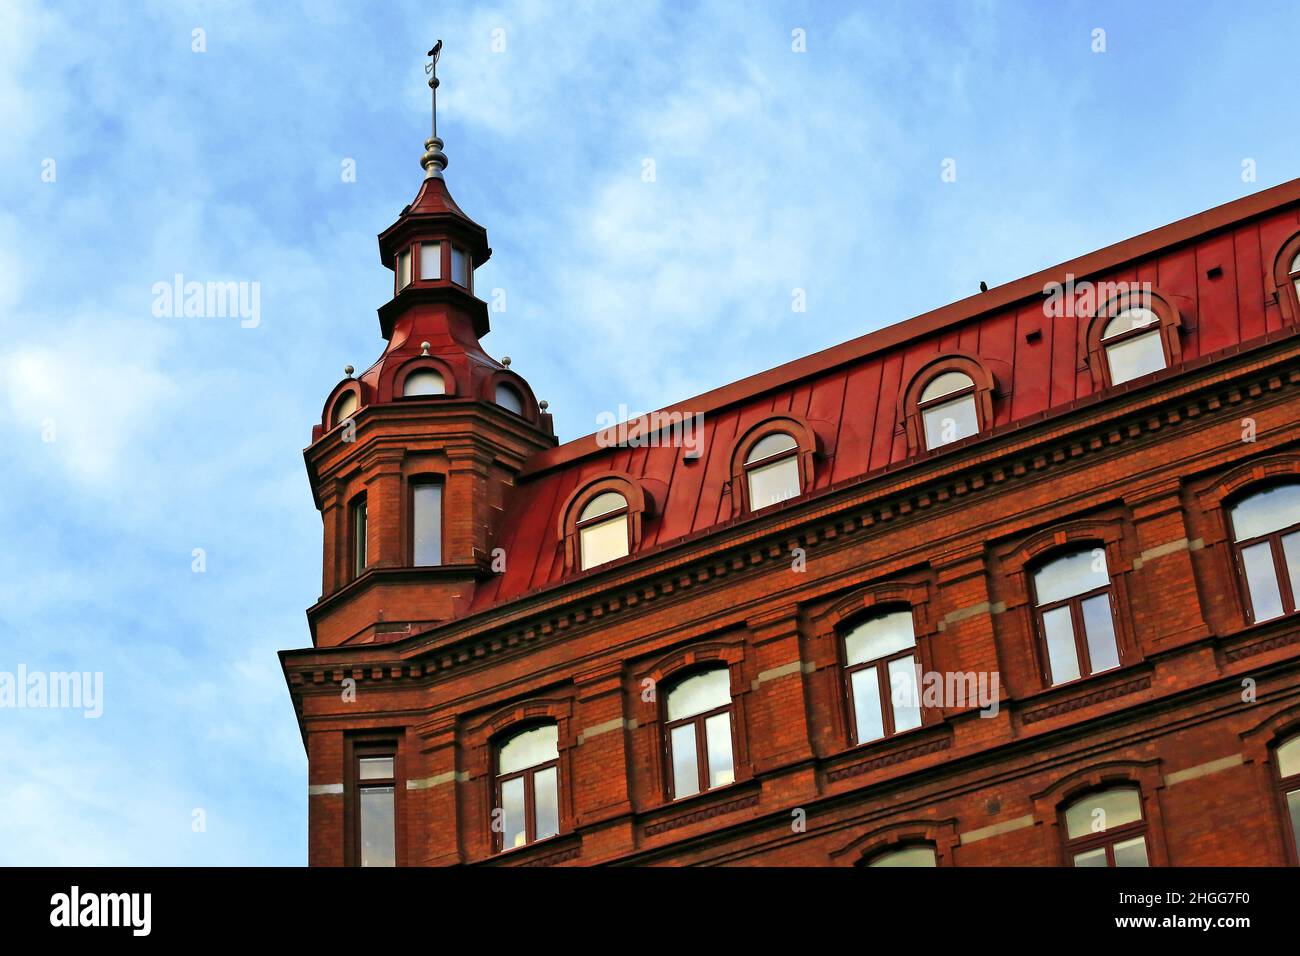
1134, 335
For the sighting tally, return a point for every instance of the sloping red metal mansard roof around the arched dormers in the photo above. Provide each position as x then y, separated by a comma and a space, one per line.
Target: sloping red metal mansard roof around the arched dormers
855, 388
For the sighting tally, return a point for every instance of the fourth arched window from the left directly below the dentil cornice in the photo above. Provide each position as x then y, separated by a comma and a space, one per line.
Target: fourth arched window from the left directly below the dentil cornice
1077, 622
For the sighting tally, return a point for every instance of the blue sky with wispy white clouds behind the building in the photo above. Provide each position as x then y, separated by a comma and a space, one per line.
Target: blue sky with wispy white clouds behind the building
131, 440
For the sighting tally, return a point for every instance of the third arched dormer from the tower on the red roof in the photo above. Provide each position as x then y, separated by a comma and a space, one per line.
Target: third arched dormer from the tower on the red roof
948, 399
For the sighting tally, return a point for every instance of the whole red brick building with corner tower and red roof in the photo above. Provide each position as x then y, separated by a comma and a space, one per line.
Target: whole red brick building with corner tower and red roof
1013, 582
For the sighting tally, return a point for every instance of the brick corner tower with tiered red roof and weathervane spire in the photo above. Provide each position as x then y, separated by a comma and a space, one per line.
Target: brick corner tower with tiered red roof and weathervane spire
413, 461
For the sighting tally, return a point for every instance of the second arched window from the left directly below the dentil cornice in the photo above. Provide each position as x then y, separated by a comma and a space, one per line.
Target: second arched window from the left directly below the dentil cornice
699, 734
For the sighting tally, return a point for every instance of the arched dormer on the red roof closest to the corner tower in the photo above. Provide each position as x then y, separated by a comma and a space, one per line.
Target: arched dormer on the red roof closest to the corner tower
603, 521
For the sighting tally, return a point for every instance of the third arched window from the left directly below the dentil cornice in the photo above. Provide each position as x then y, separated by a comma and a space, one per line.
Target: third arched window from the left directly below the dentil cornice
881, 671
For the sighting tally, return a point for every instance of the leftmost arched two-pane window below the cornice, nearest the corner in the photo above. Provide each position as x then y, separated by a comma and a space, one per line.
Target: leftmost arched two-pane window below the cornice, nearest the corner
528, 797
